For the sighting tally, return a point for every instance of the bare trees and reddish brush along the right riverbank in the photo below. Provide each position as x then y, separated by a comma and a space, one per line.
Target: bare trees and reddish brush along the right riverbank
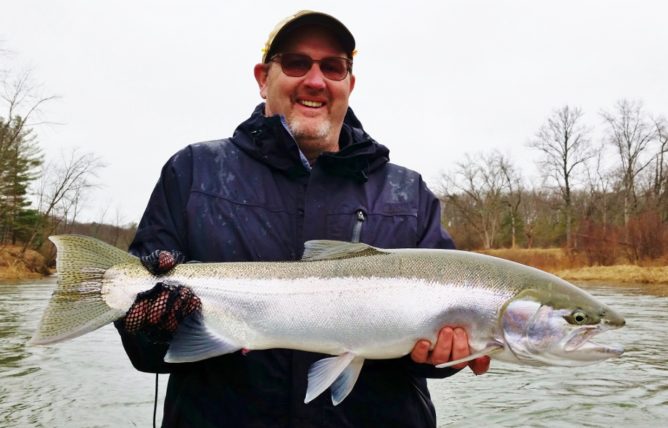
601, 192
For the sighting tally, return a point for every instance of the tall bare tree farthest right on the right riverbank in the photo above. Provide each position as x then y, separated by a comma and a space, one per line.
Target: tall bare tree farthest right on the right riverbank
630, 133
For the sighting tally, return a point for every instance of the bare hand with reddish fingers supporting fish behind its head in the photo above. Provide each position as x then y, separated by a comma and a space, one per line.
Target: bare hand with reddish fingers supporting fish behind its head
451, 344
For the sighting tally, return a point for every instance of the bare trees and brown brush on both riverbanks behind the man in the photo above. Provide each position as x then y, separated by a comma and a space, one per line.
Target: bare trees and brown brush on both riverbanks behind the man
601, 199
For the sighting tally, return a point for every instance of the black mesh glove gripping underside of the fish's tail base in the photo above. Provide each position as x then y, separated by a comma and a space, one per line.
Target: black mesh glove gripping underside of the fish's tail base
157, 312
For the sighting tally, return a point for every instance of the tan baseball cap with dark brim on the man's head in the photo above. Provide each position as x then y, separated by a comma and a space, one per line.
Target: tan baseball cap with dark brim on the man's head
301, 19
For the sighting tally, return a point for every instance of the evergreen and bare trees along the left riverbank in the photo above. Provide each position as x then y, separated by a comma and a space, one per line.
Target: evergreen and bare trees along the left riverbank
40, 197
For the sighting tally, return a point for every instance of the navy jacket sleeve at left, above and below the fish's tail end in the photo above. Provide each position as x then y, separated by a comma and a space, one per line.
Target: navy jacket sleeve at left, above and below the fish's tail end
162, 227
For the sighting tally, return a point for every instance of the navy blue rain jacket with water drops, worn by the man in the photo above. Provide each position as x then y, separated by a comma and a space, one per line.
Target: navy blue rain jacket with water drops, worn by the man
253, 197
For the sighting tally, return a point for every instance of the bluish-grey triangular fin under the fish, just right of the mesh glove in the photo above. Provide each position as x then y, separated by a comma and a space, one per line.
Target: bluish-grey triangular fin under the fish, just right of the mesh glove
193, 341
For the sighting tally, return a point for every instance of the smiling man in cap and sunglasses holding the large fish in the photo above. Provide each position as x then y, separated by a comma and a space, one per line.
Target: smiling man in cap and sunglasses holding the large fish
300, 168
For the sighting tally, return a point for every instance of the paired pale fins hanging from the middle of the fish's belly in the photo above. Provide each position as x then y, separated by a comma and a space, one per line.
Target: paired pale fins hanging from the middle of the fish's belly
340, 372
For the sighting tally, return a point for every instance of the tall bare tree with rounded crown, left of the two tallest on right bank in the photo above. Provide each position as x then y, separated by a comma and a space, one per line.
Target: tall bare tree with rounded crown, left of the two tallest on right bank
564, 142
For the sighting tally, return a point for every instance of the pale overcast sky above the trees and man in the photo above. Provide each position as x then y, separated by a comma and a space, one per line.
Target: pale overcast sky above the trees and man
436, 80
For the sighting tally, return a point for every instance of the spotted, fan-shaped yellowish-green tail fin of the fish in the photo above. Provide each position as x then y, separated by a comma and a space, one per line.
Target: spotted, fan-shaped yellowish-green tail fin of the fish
77, 305
